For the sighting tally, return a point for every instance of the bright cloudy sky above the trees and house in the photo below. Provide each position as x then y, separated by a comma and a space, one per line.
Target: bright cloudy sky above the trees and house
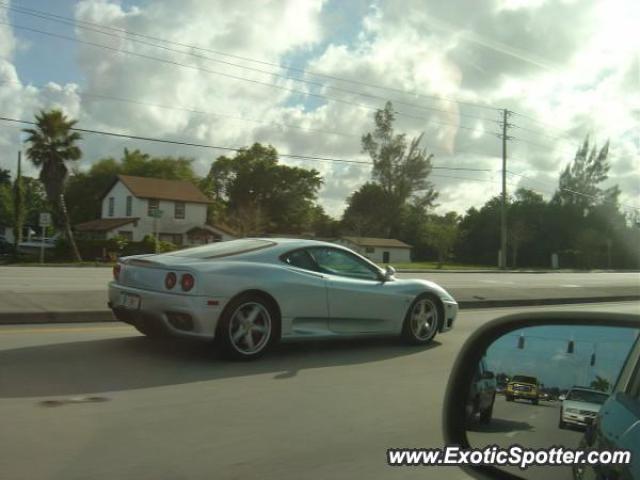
308, 75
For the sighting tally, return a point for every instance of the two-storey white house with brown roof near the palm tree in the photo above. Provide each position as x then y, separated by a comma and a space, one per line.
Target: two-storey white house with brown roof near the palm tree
134, 207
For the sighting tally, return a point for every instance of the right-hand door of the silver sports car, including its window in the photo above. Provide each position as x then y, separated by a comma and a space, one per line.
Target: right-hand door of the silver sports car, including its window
359, 300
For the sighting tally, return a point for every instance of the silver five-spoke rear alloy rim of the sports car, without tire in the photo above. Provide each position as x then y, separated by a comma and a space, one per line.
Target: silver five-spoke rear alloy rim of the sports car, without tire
250, 328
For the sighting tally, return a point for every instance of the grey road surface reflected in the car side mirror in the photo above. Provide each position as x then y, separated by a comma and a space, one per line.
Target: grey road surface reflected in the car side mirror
531, 426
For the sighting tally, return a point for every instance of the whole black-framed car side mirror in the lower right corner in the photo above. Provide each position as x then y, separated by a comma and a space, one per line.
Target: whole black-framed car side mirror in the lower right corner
549, 380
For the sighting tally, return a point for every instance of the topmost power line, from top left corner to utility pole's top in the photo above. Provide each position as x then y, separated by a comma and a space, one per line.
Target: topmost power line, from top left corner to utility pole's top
75, 22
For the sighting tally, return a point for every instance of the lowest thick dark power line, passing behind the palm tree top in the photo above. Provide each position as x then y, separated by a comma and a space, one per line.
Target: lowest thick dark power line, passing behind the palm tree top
224, 148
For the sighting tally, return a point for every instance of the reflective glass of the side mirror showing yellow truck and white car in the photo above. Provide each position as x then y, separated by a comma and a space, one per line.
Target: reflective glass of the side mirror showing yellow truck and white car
547, 386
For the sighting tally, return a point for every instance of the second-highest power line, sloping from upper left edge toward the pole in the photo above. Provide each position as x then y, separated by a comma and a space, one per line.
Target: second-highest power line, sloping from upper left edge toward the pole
227, 75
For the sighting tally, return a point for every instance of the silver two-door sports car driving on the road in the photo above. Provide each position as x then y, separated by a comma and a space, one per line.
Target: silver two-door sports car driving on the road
248, 294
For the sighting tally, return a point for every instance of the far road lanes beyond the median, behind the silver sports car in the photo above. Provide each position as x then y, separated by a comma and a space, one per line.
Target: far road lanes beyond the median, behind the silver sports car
63, 289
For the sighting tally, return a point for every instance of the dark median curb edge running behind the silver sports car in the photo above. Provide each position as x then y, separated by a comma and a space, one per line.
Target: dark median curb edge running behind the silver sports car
25, 318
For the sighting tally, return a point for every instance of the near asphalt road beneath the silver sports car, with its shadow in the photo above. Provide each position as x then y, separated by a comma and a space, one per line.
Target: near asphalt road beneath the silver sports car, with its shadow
99, 401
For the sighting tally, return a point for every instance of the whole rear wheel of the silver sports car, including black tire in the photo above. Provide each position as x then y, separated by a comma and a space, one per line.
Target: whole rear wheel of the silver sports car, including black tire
231, 324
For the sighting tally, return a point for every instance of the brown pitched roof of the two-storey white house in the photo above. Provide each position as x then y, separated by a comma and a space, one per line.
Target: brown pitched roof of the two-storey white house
161, 189
